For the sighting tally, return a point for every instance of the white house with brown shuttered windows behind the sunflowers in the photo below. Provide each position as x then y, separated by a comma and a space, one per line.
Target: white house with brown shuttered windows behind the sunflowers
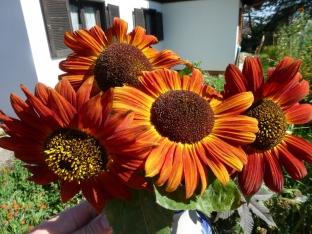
31, 39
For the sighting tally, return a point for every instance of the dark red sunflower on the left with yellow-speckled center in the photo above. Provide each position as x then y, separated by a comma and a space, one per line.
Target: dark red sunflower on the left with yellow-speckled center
66, 136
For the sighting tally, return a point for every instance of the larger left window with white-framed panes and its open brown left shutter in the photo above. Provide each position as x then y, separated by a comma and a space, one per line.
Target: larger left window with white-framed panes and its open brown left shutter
70, 15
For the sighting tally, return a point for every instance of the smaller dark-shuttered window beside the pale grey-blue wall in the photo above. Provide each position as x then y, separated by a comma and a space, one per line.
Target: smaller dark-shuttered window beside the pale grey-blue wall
151, 20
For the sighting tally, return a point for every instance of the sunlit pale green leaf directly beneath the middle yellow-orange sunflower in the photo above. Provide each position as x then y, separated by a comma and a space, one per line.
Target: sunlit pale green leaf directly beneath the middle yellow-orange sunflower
217, 197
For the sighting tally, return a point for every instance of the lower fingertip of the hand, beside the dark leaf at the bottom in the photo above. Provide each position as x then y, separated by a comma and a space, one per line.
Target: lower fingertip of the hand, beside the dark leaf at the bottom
97, 225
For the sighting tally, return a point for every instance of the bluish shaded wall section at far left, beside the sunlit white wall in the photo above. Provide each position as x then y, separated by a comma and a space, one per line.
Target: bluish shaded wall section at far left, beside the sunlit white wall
16, 62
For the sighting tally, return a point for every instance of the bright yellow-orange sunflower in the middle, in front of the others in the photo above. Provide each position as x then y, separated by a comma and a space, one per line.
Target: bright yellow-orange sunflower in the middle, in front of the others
192, 125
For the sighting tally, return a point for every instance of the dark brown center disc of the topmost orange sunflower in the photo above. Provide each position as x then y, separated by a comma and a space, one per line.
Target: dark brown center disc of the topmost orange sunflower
119, 64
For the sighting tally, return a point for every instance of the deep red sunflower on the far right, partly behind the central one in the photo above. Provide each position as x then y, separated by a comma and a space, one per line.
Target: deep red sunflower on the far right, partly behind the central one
275, 106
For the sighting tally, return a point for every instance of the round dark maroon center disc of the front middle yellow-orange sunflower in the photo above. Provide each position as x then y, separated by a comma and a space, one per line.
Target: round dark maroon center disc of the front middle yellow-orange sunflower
182, 116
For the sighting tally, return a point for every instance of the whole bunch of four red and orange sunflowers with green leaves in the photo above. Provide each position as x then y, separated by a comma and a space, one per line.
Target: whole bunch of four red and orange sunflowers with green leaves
140, 141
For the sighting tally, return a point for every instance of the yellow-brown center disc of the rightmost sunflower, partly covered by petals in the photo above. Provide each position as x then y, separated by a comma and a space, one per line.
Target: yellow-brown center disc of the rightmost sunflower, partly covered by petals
271, 122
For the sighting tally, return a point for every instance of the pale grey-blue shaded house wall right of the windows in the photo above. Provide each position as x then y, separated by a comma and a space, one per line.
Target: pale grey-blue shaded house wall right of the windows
204, 30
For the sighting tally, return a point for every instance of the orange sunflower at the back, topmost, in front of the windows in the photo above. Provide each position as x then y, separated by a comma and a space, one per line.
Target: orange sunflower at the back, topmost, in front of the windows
114, 58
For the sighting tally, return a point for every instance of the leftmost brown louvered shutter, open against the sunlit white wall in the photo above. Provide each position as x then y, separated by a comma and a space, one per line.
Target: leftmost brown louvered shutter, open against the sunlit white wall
57, 22
